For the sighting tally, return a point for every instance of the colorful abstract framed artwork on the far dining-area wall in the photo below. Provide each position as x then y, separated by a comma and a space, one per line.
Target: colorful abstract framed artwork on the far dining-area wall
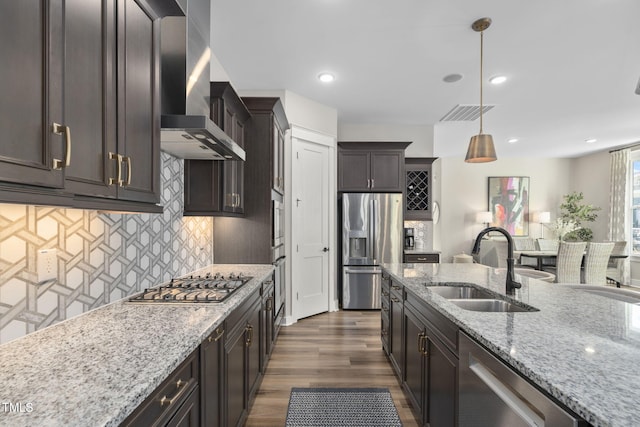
509, 203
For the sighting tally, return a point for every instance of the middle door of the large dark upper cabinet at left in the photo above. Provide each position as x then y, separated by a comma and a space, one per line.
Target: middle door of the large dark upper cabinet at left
90, 95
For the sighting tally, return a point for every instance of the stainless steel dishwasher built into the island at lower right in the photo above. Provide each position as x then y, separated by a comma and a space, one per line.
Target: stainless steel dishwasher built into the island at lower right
492, 394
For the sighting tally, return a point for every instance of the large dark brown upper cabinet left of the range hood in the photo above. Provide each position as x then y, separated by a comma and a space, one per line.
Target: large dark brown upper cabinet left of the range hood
81, 113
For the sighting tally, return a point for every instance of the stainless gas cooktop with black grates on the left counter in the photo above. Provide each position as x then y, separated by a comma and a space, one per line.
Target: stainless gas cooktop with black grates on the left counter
207, 289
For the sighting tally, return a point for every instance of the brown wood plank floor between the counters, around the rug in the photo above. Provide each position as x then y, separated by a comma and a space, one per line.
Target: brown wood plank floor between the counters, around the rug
339, 349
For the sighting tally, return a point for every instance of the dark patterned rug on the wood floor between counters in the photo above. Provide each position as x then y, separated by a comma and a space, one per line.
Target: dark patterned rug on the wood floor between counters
353, 407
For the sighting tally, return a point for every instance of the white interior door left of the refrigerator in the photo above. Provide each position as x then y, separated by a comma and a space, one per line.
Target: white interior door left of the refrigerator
311, 216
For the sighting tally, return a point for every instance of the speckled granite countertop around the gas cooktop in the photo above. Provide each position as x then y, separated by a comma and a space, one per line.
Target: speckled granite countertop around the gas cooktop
96, 368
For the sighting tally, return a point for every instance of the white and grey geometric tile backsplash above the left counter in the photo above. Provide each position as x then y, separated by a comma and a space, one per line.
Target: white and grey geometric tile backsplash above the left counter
101, 257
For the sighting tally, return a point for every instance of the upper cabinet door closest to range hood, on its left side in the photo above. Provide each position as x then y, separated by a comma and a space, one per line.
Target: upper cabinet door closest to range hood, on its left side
138, 103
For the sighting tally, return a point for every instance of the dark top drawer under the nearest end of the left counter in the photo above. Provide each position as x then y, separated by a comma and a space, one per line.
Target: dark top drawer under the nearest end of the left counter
168, 398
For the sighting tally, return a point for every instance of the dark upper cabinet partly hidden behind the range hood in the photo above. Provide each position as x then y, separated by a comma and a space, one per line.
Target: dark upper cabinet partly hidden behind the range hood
216, 187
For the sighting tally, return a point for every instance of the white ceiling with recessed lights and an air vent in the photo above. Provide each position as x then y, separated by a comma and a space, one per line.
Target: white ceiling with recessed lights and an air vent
573, 65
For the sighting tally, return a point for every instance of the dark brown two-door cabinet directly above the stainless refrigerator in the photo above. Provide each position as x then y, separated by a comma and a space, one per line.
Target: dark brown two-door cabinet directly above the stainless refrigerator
371, 166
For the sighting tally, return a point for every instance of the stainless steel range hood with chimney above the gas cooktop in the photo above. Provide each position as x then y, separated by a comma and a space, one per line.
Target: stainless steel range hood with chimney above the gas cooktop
187, 129
